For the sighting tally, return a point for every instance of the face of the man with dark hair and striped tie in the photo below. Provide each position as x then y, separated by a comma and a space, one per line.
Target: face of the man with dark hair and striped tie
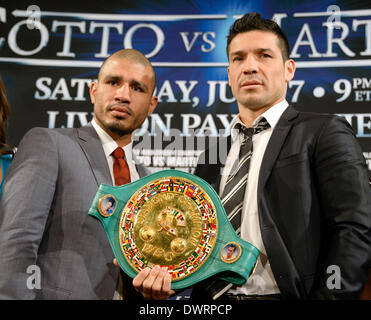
257, 74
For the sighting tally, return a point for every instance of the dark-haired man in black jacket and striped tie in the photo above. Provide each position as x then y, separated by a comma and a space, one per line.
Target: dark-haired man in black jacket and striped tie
307, 201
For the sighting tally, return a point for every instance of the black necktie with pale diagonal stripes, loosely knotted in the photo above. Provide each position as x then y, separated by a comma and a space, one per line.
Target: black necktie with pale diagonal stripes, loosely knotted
234, 190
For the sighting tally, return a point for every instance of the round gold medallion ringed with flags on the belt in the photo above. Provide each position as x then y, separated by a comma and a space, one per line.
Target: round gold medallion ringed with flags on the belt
169, 222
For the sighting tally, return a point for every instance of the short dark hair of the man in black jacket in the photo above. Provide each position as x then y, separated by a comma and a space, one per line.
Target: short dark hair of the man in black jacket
254, 21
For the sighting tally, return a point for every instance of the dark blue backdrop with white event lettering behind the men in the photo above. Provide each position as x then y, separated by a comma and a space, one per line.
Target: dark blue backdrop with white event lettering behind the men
50, 52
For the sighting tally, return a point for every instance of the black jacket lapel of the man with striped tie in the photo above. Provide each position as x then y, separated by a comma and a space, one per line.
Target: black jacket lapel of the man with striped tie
275, 144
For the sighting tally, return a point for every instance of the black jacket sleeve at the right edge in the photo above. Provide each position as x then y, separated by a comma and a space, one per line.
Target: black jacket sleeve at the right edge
342, 183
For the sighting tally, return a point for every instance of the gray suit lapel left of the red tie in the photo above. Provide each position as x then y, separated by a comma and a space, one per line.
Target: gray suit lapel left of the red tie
93, 150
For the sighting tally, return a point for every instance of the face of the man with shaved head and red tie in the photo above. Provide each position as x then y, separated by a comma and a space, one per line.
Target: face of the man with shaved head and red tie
122, 97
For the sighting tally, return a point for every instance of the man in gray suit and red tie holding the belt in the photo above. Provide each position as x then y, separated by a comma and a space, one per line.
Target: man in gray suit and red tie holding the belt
49, 188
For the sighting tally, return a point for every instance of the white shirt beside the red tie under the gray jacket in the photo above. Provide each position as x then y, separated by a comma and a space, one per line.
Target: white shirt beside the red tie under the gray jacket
109, 145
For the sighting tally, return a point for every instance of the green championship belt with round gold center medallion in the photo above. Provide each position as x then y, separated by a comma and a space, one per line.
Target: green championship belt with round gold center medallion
175, 219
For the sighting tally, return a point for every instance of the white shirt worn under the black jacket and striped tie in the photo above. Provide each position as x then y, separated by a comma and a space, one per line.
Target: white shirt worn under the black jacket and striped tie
262, 281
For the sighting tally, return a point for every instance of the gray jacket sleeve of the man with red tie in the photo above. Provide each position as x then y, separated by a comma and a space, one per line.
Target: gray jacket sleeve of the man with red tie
27, 196
